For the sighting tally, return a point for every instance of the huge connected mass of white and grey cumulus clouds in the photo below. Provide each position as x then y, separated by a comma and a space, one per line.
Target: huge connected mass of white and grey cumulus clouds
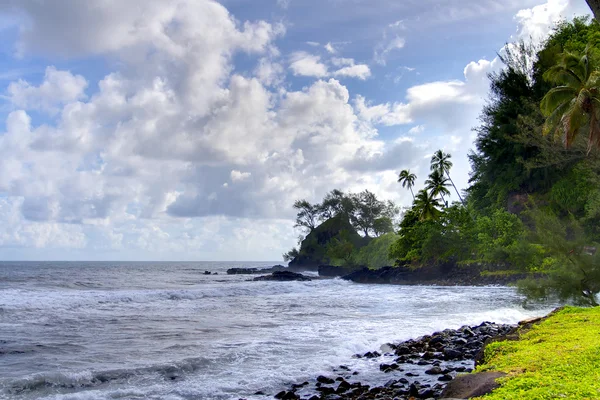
175, 151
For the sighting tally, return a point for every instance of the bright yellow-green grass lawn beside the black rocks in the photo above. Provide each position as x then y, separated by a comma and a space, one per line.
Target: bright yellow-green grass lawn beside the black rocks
557, 359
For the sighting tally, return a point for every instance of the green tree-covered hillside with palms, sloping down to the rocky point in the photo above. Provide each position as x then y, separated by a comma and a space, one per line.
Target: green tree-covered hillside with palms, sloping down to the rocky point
533, 202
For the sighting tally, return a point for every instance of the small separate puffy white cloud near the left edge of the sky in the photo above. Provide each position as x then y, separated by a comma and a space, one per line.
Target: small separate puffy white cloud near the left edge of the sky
57, 89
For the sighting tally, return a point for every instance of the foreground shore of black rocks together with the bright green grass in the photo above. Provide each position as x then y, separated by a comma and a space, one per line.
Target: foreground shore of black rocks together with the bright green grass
534, 359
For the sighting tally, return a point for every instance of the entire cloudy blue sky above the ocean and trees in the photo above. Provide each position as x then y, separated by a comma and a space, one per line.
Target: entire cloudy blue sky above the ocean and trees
185, 129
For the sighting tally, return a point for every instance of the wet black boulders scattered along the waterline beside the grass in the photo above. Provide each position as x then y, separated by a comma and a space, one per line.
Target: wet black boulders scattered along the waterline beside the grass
423, 368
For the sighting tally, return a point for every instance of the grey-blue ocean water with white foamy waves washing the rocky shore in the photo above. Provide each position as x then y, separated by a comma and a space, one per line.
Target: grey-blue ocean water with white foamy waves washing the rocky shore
167, 331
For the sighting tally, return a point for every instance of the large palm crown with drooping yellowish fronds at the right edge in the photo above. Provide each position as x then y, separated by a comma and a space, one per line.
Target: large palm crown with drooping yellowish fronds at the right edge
573, 107
